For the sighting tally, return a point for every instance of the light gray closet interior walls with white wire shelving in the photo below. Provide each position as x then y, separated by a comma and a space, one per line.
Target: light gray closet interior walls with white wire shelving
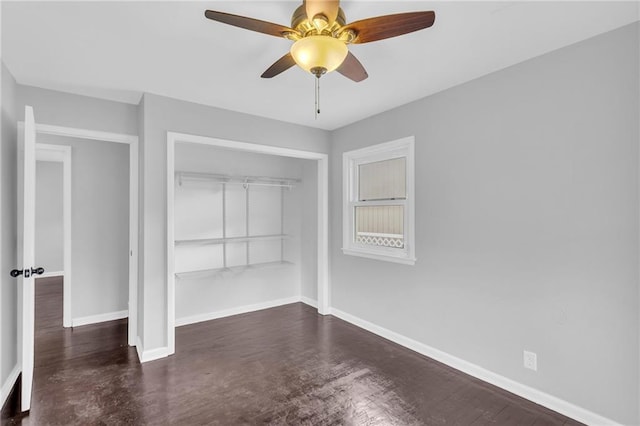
239, 245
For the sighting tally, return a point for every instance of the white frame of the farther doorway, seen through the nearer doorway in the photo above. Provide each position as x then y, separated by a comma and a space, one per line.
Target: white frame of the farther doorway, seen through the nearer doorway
62, 154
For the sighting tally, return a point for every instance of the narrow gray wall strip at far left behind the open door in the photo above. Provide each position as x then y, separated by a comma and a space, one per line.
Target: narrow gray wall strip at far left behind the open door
8, 229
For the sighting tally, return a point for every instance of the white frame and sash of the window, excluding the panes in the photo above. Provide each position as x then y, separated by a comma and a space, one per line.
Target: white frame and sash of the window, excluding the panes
404, 147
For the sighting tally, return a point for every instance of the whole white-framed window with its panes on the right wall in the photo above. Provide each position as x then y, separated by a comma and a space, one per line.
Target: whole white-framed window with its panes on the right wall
378, 207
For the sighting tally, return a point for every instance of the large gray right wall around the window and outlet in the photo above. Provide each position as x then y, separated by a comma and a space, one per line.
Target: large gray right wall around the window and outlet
526, 224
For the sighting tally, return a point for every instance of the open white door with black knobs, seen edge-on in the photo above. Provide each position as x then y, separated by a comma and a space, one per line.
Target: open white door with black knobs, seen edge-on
26, 270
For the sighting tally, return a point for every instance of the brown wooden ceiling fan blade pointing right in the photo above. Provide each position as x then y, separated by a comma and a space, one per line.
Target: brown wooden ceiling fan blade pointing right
382, 27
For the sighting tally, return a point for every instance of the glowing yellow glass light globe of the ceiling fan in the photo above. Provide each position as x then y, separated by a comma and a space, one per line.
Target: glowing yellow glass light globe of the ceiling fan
319, 51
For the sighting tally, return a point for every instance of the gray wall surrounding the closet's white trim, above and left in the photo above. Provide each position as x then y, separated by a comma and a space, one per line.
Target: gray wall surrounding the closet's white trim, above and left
161, 115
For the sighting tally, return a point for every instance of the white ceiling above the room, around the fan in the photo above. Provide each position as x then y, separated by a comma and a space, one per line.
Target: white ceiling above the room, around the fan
118, 50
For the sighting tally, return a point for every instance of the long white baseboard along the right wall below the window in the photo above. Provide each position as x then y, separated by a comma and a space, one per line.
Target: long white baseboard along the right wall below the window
553, 403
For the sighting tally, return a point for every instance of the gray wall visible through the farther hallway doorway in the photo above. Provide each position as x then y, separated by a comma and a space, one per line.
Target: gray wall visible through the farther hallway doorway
49, 224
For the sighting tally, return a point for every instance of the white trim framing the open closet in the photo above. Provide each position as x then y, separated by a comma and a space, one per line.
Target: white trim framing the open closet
323, 214
